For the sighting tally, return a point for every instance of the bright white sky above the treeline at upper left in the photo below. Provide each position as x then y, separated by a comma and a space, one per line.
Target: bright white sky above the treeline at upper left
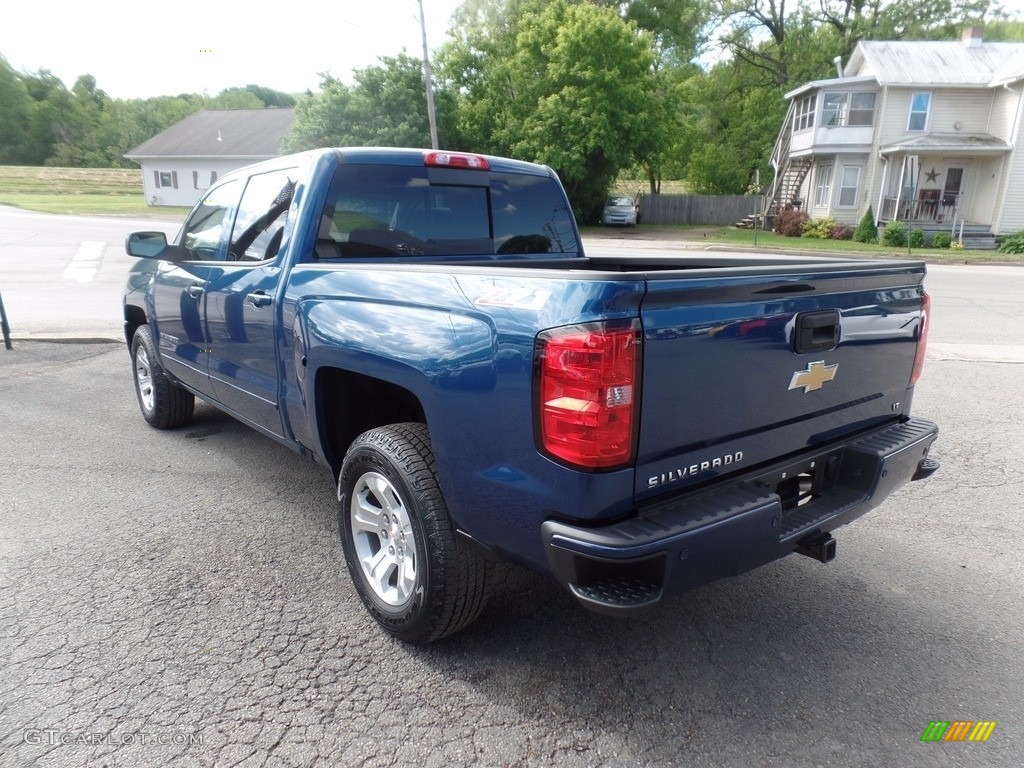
139, 50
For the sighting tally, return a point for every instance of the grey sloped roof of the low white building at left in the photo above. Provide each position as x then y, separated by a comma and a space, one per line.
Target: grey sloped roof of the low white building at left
222, 134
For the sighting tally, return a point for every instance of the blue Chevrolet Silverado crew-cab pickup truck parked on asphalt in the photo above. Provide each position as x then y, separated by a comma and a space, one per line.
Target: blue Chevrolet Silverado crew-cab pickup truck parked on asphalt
429, 326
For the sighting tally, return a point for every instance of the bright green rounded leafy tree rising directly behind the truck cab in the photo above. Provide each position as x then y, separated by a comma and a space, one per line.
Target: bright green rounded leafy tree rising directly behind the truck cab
570, 84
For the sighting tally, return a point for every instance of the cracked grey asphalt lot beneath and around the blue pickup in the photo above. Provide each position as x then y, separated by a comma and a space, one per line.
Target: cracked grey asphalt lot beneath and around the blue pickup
181, 600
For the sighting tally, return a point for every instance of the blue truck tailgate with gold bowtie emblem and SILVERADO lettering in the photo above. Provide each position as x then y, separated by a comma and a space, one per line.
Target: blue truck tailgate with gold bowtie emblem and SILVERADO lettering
746, 369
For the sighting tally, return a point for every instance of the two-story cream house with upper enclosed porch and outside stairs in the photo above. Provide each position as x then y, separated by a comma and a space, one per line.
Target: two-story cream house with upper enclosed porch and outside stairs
925, 133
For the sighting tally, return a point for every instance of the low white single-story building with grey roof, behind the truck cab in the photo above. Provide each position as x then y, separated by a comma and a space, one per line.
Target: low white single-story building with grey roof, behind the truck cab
181, 163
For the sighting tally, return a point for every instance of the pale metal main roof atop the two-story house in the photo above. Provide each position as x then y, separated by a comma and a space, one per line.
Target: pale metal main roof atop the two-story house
936, 63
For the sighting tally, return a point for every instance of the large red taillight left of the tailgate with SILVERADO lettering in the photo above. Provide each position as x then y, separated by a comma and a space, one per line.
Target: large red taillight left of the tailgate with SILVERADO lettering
587, 395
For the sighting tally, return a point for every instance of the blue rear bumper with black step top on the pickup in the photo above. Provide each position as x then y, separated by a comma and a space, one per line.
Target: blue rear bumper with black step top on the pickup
686, 542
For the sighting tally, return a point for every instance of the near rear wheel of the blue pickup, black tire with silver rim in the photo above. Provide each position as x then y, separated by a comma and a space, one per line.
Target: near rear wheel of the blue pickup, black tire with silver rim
394, 523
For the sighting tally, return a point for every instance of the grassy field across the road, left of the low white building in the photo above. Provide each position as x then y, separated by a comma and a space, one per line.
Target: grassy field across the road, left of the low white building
78, 191
